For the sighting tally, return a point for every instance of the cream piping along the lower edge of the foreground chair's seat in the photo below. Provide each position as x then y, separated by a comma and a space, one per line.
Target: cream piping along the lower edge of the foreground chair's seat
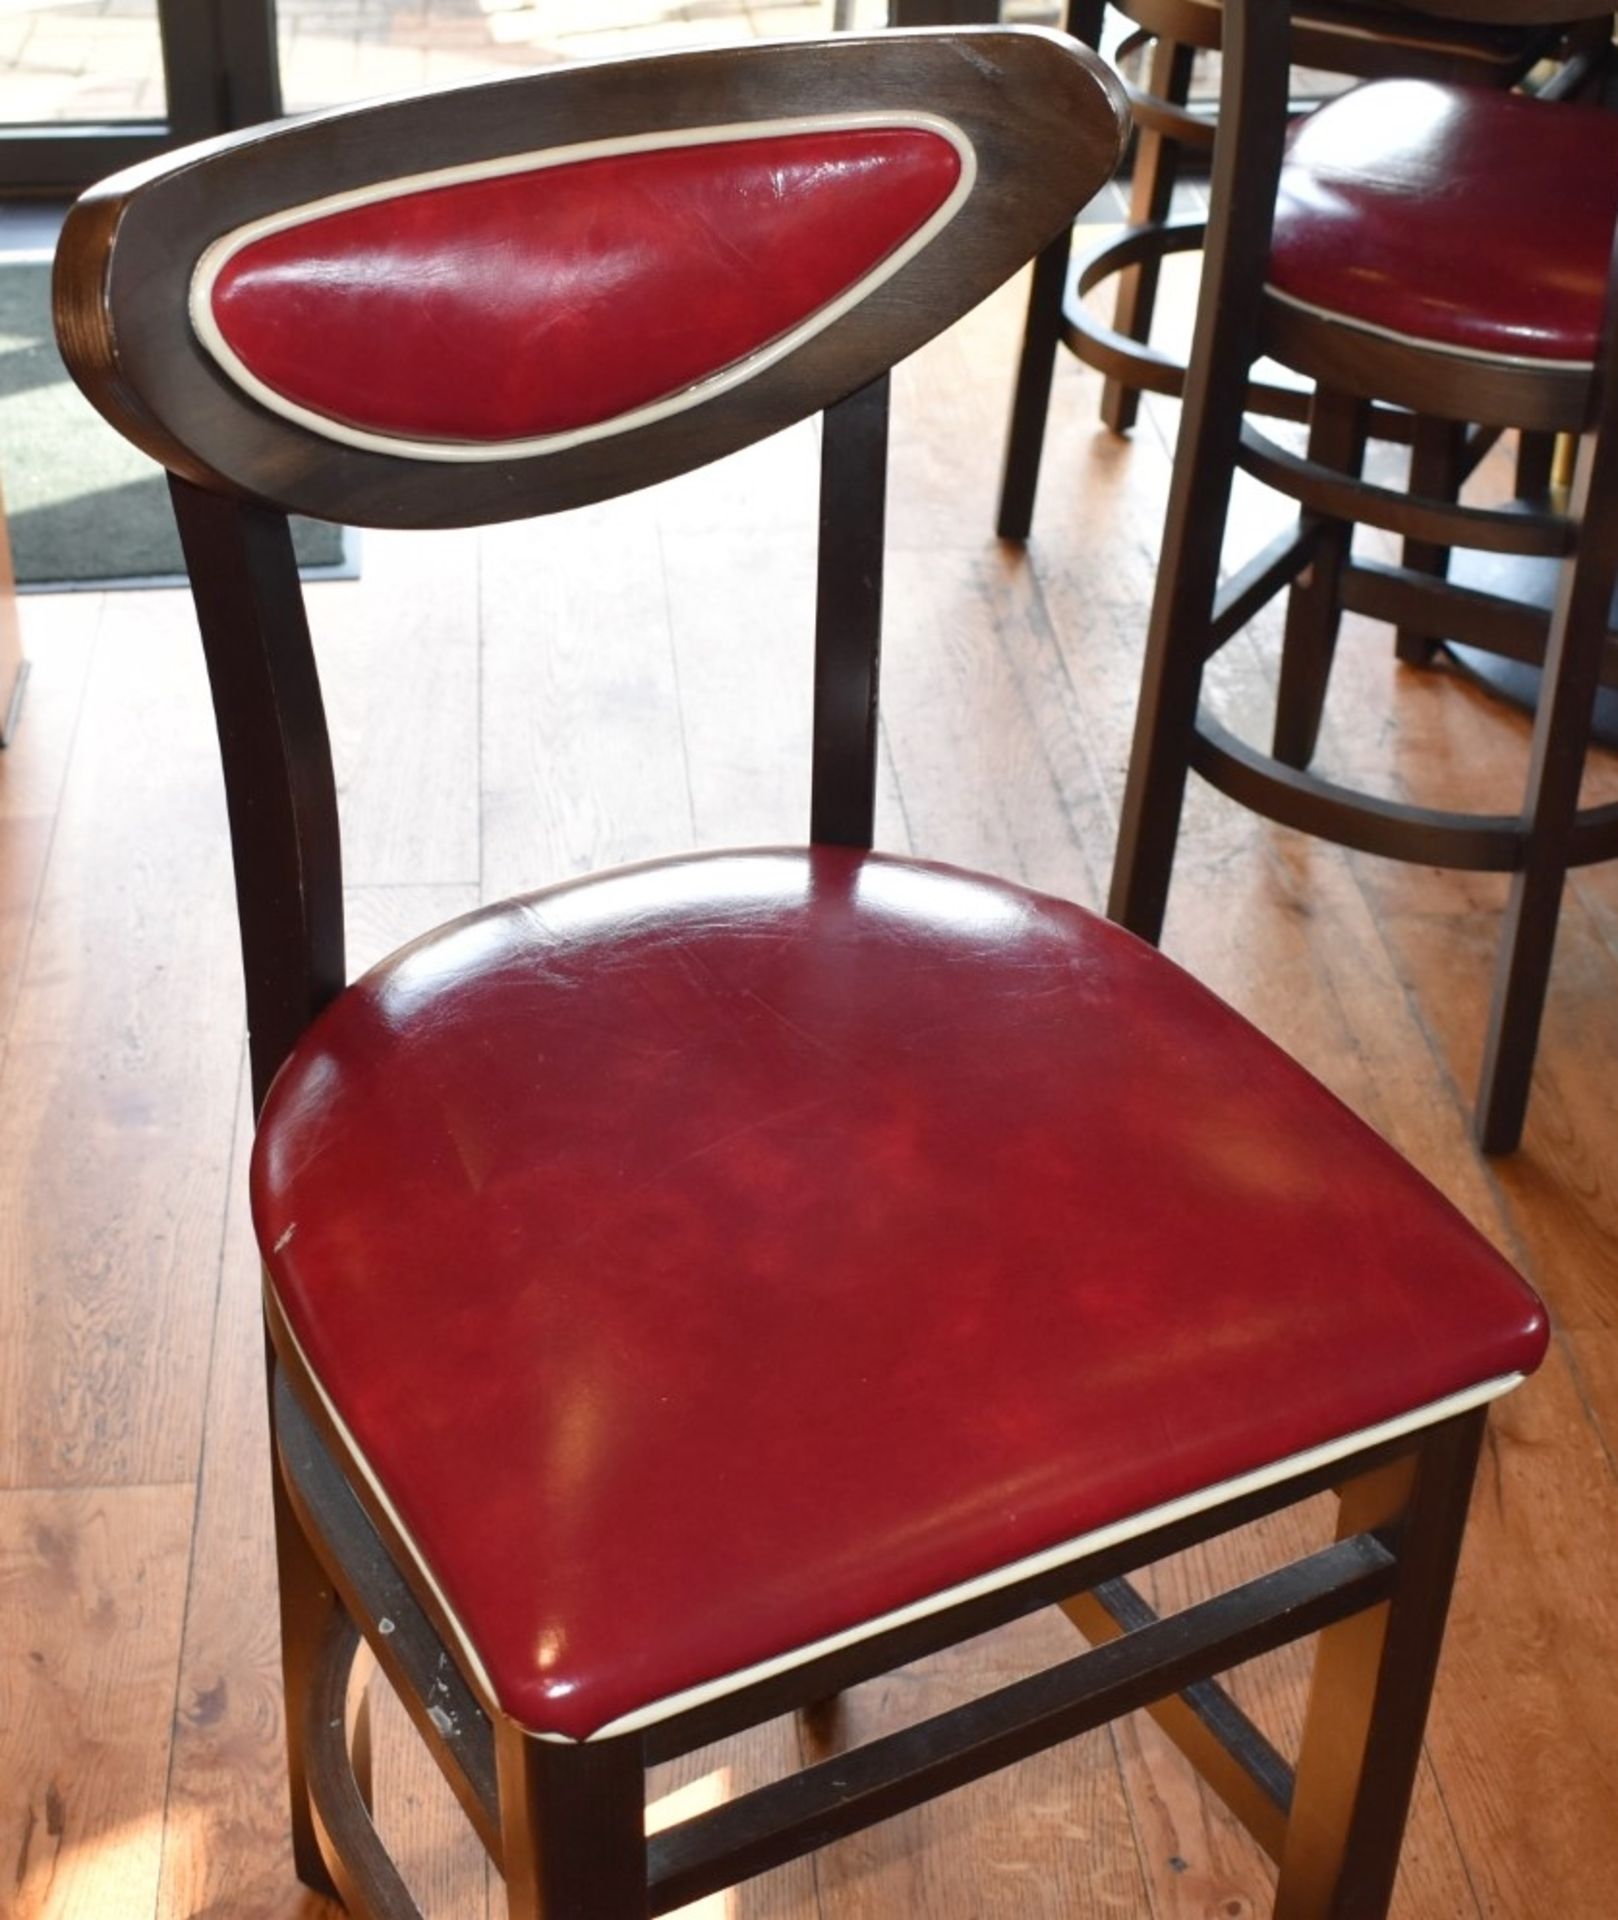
991, 1583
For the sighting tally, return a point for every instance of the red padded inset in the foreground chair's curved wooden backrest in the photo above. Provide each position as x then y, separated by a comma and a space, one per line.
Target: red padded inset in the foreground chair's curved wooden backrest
559, 299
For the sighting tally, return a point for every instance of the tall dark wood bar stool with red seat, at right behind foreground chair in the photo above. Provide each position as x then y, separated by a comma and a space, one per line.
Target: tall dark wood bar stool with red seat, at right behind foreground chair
1377, 285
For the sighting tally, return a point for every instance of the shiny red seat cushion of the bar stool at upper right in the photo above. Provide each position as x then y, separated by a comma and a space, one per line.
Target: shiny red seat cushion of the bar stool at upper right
1454, 218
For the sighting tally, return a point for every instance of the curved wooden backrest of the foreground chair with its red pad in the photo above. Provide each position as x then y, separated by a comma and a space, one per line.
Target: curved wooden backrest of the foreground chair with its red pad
381, 252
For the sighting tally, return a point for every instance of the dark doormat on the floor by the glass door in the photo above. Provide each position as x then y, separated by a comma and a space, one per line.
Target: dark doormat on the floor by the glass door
83, 506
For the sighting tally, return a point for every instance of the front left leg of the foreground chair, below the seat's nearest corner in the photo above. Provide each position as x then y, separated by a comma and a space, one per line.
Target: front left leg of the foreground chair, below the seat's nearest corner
573, 1827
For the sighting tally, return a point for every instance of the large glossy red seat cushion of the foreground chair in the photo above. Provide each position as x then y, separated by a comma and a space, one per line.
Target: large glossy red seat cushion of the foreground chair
631, 1226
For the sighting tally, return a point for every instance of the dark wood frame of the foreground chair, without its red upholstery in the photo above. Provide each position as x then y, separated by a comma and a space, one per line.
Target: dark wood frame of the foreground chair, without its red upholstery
565, 1823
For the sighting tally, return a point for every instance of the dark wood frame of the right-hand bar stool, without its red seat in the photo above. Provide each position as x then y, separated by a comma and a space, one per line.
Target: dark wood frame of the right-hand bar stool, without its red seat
1195, 615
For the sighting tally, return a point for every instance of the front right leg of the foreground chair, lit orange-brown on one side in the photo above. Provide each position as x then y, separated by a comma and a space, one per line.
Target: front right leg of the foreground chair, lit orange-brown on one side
1371, 1689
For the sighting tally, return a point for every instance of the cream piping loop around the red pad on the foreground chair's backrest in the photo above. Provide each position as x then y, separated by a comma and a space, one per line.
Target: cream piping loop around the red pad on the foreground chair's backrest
224, 251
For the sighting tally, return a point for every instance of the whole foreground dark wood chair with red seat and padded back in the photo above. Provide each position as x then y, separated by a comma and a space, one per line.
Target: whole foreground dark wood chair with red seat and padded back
703, 1287
